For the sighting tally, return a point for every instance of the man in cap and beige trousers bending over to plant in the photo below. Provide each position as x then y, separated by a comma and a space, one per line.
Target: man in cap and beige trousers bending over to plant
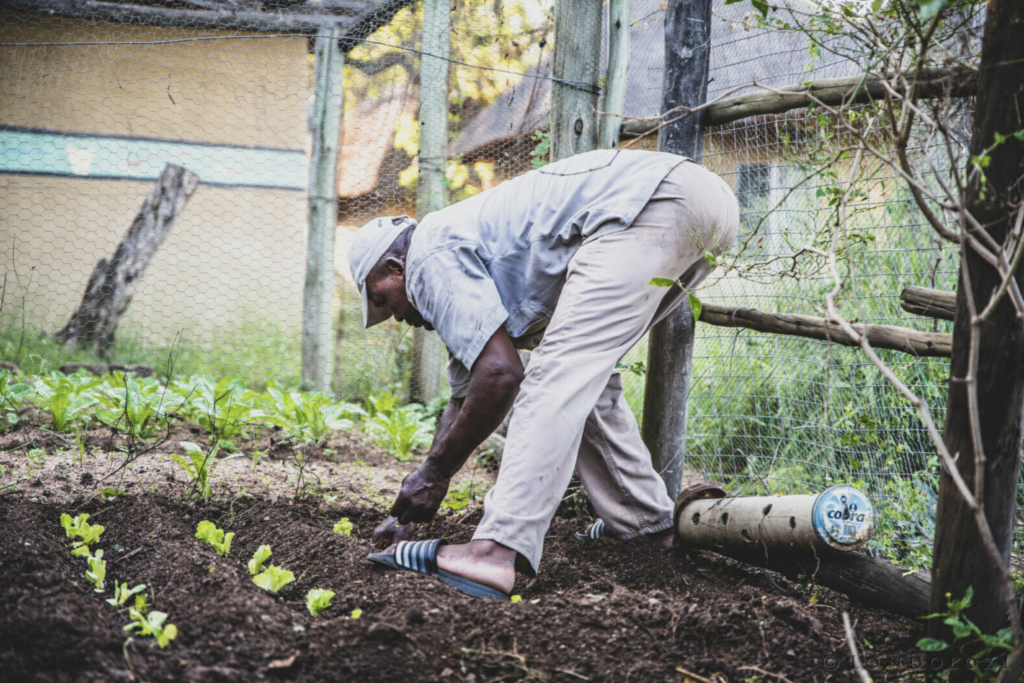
559, 261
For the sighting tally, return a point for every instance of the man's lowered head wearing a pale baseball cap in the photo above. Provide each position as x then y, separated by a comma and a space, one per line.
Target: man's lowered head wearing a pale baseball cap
378, 262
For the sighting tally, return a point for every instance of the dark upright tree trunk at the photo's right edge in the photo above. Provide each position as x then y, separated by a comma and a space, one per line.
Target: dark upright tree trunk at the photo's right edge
960, 560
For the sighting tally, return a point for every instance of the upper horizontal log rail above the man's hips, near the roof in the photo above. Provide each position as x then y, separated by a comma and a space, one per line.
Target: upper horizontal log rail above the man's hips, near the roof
833, 92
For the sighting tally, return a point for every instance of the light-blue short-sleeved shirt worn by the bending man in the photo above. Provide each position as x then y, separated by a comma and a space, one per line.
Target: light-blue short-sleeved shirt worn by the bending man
500, 259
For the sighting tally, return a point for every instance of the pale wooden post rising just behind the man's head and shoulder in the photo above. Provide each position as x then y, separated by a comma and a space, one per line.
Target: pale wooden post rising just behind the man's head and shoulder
429, 351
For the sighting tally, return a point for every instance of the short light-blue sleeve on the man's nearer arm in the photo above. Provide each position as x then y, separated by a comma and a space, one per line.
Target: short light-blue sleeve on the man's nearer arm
456, 294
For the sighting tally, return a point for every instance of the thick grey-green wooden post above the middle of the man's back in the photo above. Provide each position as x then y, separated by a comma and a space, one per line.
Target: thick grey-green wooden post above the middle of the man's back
577, 65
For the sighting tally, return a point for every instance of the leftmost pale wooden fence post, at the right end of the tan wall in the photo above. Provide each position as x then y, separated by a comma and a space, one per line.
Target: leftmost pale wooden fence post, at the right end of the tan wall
318, 333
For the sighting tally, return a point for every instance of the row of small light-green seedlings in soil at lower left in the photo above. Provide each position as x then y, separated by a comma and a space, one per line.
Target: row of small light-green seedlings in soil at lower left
144, 622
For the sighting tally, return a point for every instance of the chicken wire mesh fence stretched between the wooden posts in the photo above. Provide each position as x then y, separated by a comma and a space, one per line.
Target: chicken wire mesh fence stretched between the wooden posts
96, 107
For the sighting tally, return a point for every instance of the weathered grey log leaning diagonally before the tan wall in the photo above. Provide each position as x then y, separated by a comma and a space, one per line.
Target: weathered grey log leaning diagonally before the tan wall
112, 284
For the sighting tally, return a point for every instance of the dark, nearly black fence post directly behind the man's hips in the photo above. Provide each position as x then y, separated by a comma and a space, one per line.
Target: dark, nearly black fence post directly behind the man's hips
670, 352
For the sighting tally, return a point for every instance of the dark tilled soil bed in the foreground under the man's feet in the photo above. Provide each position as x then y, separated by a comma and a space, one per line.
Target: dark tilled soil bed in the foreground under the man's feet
600, 612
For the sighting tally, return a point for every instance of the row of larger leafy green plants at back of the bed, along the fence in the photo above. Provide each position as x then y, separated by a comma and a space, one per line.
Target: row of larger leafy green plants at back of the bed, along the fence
230, 412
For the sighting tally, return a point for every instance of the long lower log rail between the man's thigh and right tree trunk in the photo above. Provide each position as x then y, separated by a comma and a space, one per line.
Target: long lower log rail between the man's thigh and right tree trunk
934, 345
